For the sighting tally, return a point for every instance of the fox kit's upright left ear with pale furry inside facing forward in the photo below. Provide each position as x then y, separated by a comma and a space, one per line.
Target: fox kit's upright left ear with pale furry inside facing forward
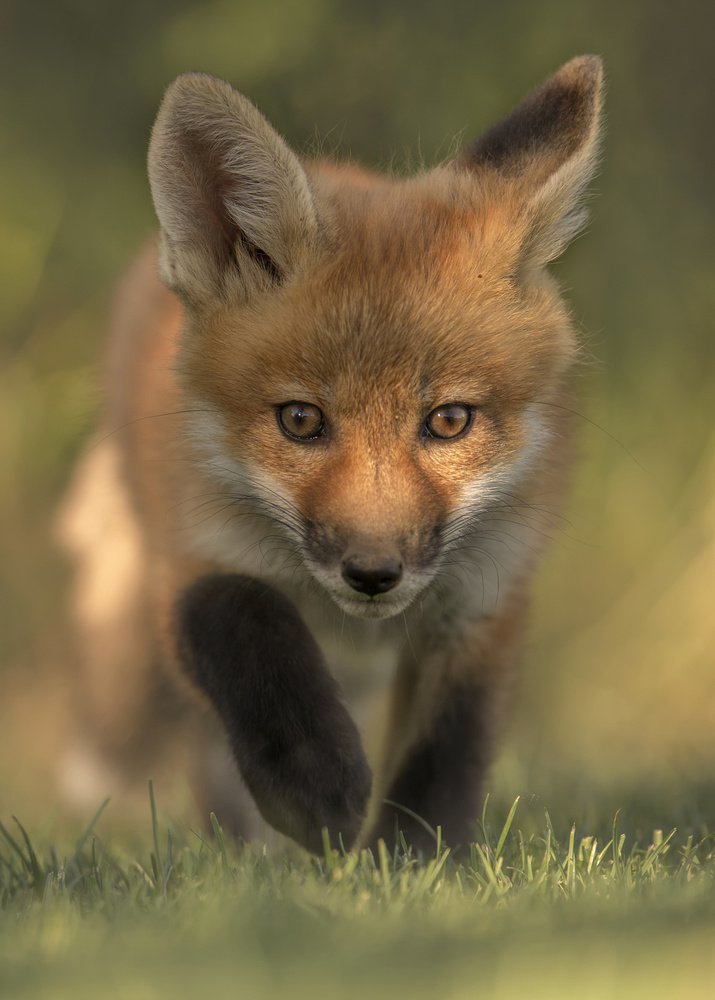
232, 199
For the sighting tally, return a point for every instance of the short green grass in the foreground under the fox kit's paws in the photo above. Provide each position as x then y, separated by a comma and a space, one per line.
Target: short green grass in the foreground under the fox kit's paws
550, 913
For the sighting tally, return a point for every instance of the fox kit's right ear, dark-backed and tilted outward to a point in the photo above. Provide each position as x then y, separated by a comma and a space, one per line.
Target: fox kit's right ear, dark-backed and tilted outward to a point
542, 156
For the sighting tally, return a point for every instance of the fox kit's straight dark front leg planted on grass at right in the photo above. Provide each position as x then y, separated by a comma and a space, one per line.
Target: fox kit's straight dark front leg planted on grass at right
447, 709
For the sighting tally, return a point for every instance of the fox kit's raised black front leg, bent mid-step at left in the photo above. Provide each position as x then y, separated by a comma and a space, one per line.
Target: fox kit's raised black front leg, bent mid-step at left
297, 748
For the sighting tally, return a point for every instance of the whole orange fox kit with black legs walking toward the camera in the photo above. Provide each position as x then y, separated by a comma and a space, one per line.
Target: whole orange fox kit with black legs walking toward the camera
335, 434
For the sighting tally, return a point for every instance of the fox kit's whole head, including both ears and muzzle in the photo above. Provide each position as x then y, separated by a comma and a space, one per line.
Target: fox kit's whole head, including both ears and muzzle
375, 364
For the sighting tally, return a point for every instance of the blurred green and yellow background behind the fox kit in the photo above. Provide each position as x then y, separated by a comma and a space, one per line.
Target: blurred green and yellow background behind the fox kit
618, 691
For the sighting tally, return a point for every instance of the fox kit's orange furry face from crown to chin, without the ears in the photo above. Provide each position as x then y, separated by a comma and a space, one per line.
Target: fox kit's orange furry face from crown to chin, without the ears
376, 386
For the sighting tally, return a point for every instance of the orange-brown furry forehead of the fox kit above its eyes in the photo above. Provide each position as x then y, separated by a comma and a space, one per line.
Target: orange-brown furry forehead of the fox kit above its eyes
411, 296
